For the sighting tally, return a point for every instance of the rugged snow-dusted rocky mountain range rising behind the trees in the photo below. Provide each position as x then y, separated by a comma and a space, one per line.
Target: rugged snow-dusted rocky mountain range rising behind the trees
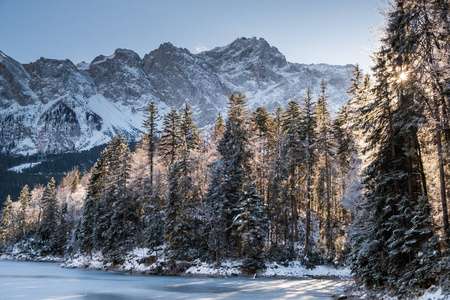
75, 107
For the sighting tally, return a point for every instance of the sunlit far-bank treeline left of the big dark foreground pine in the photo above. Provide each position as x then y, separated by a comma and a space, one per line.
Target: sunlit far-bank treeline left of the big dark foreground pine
257, 187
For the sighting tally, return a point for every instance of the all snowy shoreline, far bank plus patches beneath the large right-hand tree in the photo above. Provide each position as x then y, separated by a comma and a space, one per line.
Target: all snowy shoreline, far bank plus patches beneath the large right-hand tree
137, 263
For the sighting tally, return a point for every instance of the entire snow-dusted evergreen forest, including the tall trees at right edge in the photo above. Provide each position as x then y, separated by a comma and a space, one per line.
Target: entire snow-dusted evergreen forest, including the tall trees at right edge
367, 187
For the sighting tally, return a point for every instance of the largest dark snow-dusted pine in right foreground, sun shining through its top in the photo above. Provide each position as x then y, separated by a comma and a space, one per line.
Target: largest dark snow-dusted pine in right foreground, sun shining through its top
396, 224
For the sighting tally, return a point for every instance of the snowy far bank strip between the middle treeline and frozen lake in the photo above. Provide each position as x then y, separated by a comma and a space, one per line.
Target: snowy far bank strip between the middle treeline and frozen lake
141, 262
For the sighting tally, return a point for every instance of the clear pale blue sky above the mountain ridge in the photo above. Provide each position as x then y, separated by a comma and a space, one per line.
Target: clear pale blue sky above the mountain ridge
305, 31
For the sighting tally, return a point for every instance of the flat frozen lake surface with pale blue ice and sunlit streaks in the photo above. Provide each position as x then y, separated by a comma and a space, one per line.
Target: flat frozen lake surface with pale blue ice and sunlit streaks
30, 280
